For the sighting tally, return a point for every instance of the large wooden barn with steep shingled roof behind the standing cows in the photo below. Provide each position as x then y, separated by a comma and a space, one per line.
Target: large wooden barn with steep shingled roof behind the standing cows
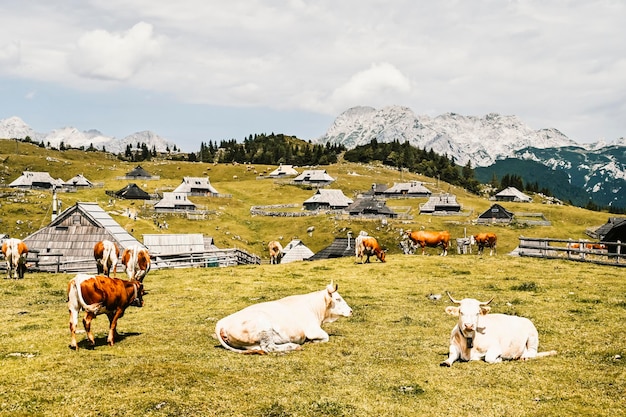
66, 244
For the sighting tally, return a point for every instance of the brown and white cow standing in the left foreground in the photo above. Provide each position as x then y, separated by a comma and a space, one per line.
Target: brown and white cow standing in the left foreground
100, 295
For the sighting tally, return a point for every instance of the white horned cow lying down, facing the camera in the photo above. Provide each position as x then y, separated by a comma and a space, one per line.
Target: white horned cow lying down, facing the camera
494, 337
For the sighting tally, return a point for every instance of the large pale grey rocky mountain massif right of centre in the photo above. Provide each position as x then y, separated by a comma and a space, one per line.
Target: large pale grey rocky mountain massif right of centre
481, 140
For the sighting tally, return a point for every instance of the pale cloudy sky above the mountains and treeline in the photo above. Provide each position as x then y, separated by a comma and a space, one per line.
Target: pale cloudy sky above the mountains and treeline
195, 71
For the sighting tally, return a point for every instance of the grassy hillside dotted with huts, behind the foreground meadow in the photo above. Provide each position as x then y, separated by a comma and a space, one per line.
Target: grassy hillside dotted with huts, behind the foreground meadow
229, 221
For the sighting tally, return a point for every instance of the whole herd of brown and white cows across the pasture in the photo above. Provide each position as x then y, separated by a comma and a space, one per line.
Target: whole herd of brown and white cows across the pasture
284, 325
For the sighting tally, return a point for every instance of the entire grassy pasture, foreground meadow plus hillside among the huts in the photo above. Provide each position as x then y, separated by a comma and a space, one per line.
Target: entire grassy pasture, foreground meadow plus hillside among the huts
382, 361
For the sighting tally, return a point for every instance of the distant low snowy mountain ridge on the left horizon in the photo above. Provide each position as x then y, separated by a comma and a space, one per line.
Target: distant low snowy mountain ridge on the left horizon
14, 127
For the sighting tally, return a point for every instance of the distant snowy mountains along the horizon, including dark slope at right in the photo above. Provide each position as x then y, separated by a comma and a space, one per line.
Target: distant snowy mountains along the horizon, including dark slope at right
494, 145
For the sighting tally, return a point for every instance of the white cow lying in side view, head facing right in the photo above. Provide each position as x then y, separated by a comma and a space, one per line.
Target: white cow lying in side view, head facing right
282, 325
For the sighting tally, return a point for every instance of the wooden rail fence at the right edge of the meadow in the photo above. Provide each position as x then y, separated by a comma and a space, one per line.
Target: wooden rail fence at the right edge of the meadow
603, 253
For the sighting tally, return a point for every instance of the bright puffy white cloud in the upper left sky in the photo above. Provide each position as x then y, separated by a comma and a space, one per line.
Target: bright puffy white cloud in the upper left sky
114, 56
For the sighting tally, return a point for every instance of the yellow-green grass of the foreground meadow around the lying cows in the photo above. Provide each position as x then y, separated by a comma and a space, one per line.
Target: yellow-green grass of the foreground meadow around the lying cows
383, 361
